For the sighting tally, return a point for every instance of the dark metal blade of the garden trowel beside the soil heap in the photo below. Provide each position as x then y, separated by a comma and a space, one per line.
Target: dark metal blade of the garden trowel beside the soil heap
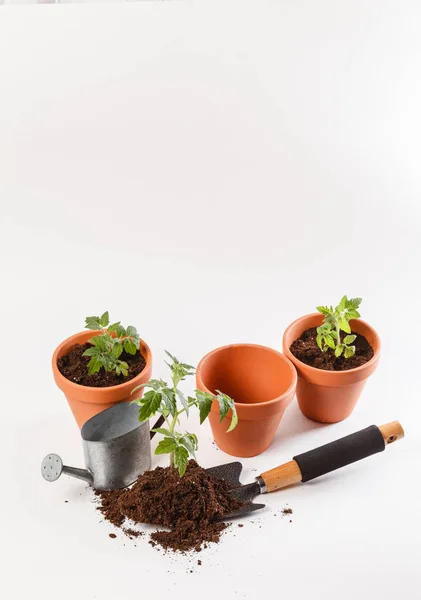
231, 474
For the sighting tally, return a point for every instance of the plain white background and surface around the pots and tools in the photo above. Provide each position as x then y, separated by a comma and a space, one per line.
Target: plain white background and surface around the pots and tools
208, 173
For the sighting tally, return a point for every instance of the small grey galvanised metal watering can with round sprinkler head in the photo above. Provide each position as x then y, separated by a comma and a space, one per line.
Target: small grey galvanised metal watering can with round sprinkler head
116, 447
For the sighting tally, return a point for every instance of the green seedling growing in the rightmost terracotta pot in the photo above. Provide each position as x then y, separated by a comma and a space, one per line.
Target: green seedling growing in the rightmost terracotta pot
335, 321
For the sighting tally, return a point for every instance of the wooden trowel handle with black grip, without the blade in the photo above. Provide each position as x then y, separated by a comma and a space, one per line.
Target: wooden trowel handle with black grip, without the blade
330, 457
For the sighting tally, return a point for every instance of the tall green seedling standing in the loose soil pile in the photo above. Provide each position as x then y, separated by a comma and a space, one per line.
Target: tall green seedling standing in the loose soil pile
170, 402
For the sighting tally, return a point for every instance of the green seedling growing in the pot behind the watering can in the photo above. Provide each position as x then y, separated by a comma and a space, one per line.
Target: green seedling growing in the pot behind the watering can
108, 346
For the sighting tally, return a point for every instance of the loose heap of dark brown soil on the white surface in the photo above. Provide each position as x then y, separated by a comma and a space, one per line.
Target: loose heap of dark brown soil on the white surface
187, 506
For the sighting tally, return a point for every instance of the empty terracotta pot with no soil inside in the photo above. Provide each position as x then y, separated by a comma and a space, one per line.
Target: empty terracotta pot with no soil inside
262, 383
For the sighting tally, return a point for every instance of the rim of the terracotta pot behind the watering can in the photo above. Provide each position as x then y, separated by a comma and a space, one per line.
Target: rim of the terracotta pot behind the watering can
72, 340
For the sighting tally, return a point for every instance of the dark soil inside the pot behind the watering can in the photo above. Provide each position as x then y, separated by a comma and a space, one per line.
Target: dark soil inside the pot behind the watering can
74, 367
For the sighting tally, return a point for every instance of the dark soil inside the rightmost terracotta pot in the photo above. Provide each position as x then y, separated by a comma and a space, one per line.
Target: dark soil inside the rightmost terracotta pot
305, 348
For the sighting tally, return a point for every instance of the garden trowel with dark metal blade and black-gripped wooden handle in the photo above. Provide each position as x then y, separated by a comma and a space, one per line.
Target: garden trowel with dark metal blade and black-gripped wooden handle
308, 465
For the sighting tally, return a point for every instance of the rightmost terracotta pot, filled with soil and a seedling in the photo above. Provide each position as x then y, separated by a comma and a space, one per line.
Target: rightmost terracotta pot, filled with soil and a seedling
329, 396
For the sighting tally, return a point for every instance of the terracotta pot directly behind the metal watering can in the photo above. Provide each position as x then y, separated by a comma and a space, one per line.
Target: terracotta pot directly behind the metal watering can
85, 401
